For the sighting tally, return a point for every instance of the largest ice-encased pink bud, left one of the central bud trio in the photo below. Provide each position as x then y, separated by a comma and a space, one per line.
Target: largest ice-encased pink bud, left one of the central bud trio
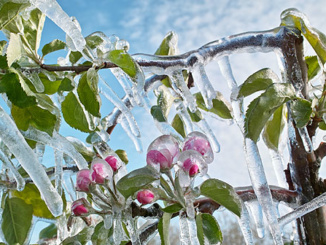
162, 151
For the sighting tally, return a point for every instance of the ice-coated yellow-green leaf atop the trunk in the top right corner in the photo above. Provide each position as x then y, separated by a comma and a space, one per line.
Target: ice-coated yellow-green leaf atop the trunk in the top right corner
294, 18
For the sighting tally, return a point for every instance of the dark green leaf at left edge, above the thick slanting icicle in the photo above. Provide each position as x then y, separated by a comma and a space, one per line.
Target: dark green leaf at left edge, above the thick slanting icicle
13, 87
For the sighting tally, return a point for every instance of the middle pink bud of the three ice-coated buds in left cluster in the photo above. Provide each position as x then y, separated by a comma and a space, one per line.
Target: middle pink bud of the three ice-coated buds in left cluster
100, 171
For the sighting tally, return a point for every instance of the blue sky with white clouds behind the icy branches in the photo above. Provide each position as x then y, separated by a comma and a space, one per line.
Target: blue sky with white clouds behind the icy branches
144, 24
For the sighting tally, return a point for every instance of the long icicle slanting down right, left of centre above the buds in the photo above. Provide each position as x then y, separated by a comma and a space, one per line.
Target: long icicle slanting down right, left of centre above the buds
112, 96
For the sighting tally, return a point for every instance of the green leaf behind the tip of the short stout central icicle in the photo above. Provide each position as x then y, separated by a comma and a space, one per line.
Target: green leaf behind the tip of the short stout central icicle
221, 106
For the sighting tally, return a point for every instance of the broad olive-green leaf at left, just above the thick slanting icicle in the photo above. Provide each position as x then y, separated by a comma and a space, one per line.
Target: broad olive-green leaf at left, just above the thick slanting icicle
35, 116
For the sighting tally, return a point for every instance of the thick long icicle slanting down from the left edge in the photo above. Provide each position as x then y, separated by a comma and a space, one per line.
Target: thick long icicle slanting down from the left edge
16, 143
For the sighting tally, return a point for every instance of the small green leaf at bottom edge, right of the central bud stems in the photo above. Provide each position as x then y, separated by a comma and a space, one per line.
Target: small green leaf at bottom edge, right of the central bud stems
208, 227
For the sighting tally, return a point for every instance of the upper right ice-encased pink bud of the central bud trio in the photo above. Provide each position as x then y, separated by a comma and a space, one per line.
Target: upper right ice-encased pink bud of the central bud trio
199, 142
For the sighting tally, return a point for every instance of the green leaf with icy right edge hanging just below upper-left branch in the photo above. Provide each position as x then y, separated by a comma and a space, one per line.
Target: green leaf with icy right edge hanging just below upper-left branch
88, 92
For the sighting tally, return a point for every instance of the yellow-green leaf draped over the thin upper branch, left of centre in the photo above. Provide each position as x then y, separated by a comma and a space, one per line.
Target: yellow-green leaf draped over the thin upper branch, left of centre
124, 61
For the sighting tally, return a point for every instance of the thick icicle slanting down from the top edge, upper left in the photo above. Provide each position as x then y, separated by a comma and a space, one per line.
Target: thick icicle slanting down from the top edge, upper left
54, 12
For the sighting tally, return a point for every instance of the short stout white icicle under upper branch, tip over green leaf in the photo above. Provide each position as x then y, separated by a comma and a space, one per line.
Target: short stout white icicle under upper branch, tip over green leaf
204, 85
